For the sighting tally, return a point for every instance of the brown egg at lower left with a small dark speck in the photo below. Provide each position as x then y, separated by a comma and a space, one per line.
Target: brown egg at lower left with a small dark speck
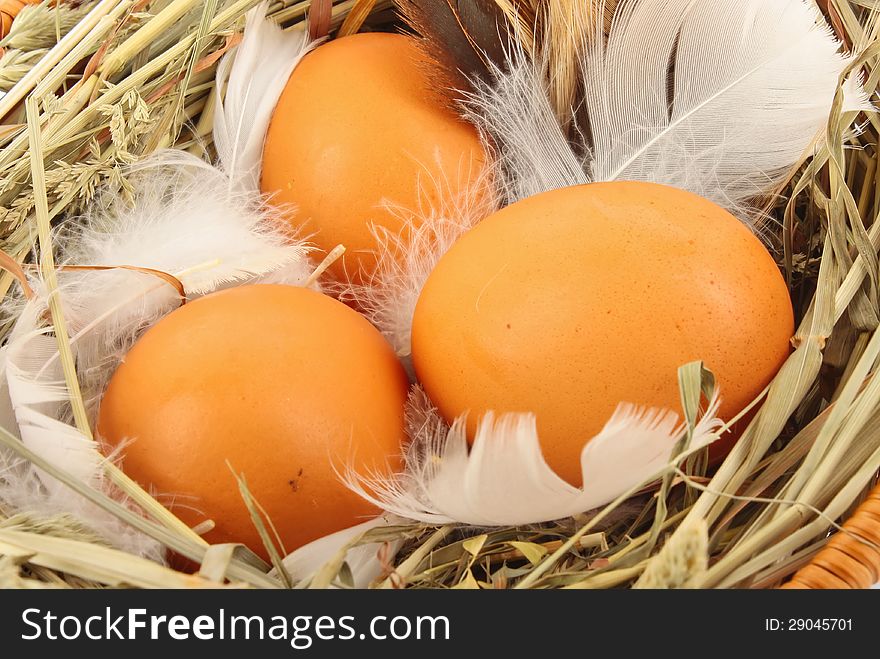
282, 382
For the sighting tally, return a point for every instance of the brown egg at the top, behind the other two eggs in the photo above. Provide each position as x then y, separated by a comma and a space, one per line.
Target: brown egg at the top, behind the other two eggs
358, 125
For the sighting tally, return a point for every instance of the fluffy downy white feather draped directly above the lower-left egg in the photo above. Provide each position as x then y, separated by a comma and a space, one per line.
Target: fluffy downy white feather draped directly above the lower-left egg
185, 221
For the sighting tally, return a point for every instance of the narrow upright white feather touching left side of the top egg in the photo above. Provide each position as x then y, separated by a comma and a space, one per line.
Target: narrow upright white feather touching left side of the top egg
251, 78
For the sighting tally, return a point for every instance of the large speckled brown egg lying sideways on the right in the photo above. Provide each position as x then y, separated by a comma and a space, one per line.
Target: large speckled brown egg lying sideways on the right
570, 302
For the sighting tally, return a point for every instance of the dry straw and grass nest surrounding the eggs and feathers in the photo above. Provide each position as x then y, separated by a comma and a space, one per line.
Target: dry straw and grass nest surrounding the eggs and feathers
808, 459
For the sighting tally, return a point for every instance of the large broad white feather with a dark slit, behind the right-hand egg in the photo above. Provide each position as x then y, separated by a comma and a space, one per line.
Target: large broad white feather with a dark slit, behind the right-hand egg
754, 81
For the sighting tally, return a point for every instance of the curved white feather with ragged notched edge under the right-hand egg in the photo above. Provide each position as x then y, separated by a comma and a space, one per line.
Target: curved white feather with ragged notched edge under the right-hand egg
504, 480
